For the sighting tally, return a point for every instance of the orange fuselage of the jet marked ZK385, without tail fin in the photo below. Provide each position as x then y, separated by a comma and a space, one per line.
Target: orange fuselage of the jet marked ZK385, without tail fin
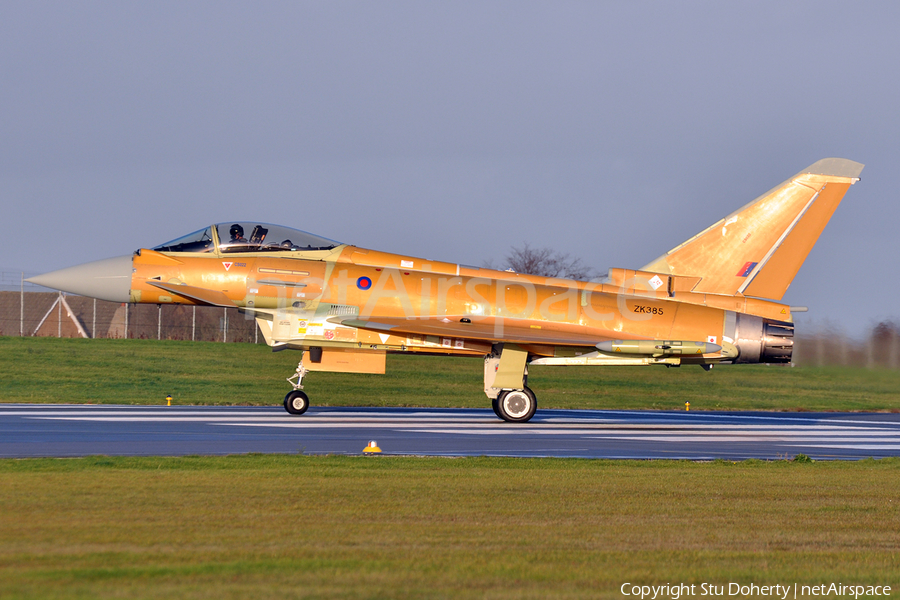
336, 295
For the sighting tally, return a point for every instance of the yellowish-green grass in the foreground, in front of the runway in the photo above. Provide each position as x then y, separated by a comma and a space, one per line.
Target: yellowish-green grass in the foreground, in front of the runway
384, 527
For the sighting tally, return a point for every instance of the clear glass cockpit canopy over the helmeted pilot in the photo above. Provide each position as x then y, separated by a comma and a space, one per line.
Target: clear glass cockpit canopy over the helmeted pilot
247, 237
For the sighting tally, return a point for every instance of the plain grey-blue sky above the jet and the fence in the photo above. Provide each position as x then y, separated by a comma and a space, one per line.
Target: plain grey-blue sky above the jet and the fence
611, 131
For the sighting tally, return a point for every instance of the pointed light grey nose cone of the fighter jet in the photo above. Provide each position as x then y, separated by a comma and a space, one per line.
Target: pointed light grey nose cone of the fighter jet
108, 279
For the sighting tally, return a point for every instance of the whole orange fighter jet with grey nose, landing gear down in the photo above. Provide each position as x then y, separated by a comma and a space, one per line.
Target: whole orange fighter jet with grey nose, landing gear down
713, 299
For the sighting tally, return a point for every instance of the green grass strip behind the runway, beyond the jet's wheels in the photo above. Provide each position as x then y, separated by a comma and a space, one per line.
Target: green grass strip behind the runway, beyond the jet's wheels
145, 371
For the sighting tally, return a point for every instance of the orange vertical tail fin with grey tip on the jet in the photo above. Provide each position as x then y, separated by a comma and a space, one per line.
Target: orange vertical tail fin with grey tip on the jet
757, 250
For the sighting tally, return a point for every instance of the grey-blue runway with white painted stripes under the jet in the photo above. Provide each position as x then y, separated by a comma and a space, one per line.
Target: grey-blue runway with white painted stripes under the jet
28, 430
